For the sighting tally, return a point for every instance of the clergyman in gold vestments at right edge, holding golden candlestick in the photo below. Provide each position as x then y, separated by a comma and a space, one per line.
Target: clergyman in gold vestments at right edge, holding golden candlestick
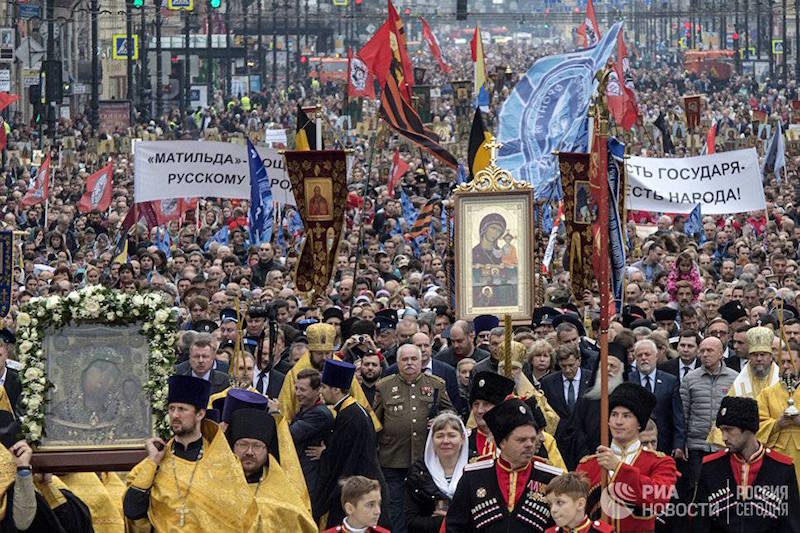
777, 429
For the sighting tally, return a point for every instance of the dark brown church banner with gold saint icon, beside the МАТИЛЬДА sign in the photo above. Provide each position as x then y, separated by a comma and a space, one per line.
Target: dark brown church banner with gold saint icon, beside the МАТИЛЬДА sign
319, 182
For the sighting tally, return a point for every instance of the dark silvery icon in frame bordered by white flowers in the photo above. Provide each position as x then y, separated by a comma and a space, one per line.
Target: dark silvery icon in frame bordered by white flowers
94, 371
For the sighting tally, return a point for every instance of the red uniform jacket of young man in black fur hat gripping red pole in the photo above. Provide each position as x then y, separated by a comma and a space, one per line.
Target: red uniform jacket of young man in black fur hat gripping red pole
634, 489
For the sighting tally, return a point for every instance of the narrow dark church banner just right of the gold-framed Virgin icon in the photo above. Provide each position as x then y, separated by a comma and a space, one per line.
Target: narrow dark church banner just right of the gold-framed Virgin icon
579, 215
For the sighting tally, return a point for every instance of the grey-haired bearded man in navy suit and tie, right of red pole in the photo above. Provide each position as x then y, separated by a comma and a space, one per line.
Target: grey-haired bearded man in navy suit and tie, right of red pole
668, 412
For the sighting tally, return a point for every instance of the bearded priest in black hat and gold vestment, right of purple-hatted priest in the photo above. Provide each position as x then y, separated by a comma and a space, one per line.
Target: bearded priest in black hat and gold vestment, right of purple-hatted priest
251, 433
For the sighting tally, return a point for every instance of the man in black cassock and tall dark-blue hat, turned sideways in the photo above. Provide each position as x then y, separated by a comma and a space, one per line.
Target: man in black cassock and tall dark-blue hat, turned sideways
351, 449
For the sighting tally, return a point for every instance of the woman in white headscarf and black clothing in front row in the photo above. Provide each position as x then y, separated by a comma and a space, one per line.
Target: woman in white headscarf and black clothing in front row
432, 480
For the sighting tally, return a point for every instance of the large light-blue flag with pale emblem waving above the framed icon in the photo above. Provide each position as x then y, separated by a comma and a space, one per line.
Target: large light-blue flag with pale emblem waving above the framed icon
546, 112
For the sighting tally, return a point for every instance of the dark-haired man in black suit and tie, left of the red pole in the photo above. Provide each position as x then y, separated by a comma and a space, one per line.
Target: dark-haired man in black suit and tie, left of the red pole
565, 387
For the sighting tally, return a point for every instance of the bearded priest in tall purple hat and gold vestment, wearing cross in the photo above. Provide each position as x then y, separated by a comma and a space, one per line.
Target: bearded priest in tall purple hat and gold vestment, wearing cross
193, 482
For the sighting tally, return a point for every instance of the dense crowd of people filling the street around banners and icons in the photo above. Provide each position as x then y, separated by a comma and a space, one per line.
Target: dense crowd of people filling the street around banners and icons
374, 407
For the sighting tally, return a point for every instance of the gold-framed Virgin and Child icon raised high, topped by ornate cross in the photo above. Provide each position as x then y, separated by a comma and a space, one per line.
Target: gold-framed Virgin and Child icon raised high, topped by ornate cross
494, 246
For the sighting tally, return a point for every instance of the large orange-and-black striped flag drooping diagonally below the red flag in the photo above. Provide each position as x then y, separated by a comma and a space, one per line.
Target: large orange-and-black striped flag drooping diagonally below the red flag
399, 114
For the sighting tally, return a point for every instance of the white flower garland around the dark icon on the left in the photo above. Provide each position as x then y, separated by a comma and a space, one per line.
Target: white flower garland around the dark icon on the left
94, 305
